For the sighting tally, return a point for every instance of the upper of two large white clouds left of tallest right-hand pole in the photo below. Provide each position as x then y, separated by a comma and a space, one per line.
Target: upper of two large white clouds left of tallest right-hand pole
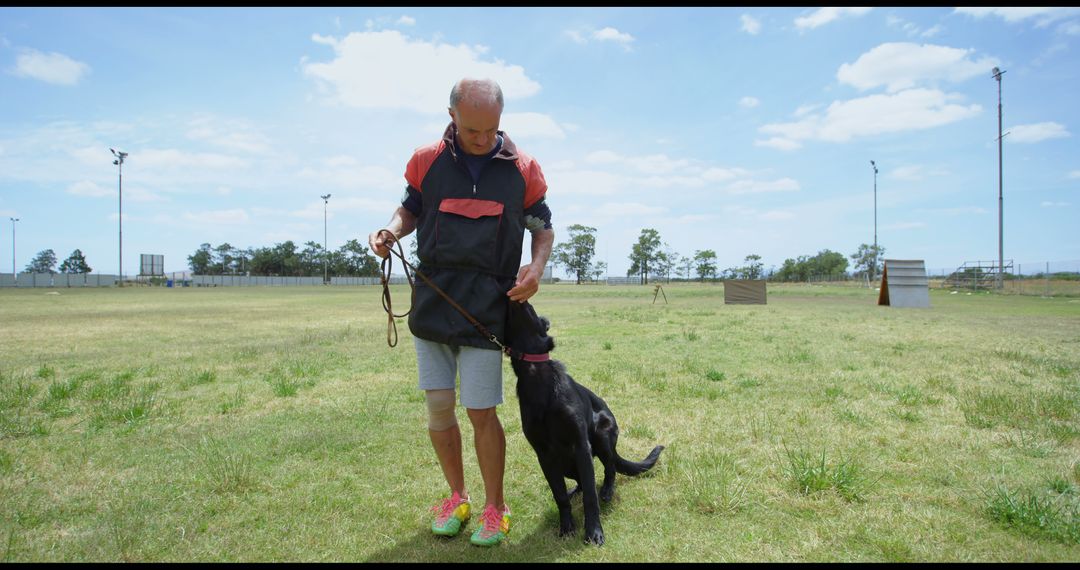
902, 65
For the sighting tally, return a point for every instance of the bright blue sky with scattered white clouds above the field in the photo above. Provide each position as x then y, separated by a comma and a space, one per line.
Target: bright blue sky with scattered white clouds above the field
744, 131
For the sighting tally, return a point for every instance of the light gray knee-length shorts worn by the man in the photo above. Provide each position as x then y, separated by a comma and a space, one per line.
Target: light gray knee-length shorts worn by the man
481, 372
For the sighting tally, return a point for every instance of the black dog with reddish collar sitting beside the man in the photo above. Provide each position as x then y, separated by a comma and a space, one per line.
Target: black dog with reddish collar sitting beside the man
565, 424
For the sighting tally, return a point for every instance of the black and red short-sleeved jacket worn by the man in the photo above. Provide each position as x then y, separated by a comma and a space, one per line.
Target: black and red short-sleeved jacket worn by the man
469, 238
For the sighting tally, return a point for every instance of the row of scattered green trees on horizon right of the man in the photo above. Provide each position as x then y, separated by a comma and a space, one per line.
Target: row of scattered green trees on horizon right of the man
653, 257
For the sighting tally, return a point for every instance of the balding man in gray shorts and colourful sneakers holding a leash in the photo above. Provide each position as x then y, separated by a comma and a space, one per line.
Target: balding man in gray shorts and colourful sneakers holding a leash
470, 197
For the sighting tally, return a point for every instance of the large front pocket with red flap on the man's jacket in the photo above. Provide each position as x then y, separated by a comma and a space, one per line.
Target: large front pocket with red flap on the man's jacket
467, 233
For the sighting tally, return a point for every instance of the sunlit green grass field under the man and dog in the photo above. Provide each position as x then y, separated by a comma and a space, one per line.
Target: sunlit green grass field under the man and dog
250, 425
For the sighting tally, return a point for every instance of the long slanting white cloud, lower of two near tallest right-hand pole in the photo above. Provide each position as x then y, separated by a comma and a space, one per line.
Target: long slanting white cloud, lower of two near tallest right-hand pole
908, 111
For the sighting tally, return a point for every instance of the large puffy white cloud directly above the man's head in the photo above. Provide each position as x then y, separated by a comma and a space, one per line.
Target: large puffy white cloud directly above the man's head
389, 71
